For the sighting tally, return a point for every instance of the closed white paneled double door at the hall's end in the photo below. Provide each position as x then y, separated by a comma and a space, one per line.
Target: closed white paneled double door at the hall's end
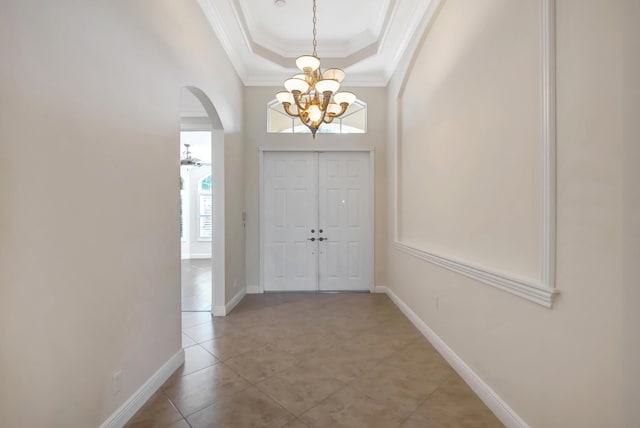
317, 221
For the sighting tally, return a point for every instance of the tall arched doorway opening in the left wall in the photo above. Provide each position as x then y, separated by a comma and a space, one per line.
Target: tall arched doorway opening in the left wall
202, 222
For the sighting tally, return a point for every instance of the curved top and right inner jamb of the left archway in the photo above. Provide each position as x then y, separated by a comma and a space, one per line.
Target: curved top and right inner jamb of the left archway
198, 114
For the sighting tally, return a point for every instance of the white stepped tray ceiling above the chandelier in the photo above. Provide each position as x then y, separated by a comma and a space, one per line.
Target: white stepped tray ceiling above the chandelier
366, 38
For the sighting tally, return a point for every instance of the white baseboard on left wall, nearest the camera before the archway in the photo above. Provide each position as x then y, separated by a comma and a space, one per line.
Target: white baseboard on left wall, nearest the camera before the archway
129, 408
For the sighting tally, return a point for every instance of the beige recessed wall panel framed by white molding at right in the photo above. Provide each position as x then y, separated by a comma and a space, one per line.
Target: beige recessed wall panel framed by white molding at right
463, 139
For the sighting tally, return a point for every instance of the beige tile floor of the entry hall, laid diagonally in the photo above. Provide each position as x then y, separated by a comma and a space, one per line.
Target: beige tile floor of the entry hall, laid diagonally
311, 360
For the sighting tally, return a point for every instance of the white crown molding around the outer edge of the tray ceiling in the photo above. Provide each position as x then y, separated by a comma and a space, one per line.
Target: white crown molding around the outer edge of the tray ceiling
369, 62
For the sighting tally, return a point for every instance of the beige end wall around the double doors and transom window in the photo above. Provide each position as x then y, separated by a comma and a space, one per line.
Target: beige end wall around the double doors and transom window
256, 99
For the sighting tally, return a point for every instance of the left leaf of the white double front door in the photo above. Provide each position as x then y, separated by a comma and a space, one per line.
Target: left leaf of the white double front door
290, 212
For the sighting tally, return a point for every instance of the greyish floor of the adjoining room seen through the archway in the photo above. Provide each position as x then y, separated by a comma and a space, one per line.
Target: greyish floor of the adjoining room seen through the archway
196, 285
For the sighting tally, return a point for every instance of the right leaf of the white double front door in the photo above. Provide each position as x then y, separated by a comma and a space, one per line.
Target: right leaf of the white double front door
345, 219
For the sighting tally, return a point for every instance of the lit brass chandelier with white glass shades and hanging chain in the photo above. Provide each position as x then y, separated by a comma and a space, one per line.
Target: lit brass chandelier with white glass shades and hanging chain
312, 96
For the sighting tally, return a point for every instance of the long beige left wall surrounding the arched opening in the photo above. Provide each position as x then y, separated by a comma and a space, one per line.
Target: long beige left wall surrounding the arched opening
91, 100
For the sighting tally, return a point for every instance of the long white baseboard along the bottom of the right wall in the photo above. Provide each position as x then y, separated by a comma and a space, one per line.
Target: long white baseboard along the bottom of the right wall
497, 405
